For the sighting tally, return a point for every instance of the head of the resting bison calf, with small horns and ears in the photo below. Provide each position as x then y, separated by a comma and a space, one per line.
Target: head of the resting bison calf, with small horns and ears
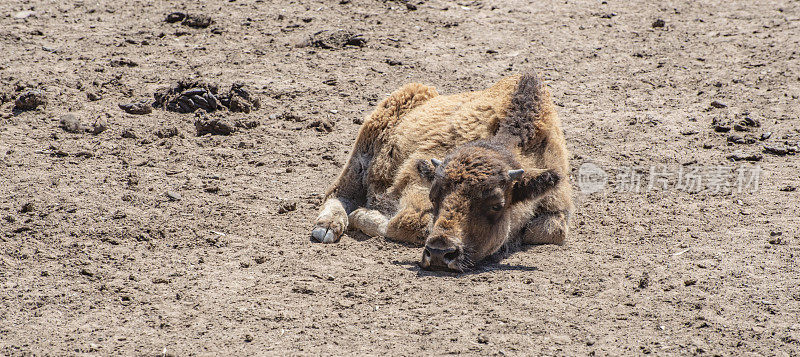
474, 191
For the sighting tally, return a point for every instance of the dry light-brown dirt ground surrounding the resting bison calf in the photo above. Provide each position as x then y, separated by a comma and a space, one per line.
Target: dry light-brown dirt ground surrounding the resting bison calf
161, 242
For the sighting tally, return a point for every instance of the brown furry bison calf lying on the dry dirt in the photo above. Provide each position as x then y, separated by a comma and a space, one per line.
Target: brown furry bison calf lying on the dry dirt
502, 179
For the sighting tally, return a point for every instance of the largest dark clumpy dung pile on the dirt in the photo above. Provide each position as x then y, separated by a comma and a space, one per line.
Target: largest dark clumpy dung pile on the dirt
188, 96
